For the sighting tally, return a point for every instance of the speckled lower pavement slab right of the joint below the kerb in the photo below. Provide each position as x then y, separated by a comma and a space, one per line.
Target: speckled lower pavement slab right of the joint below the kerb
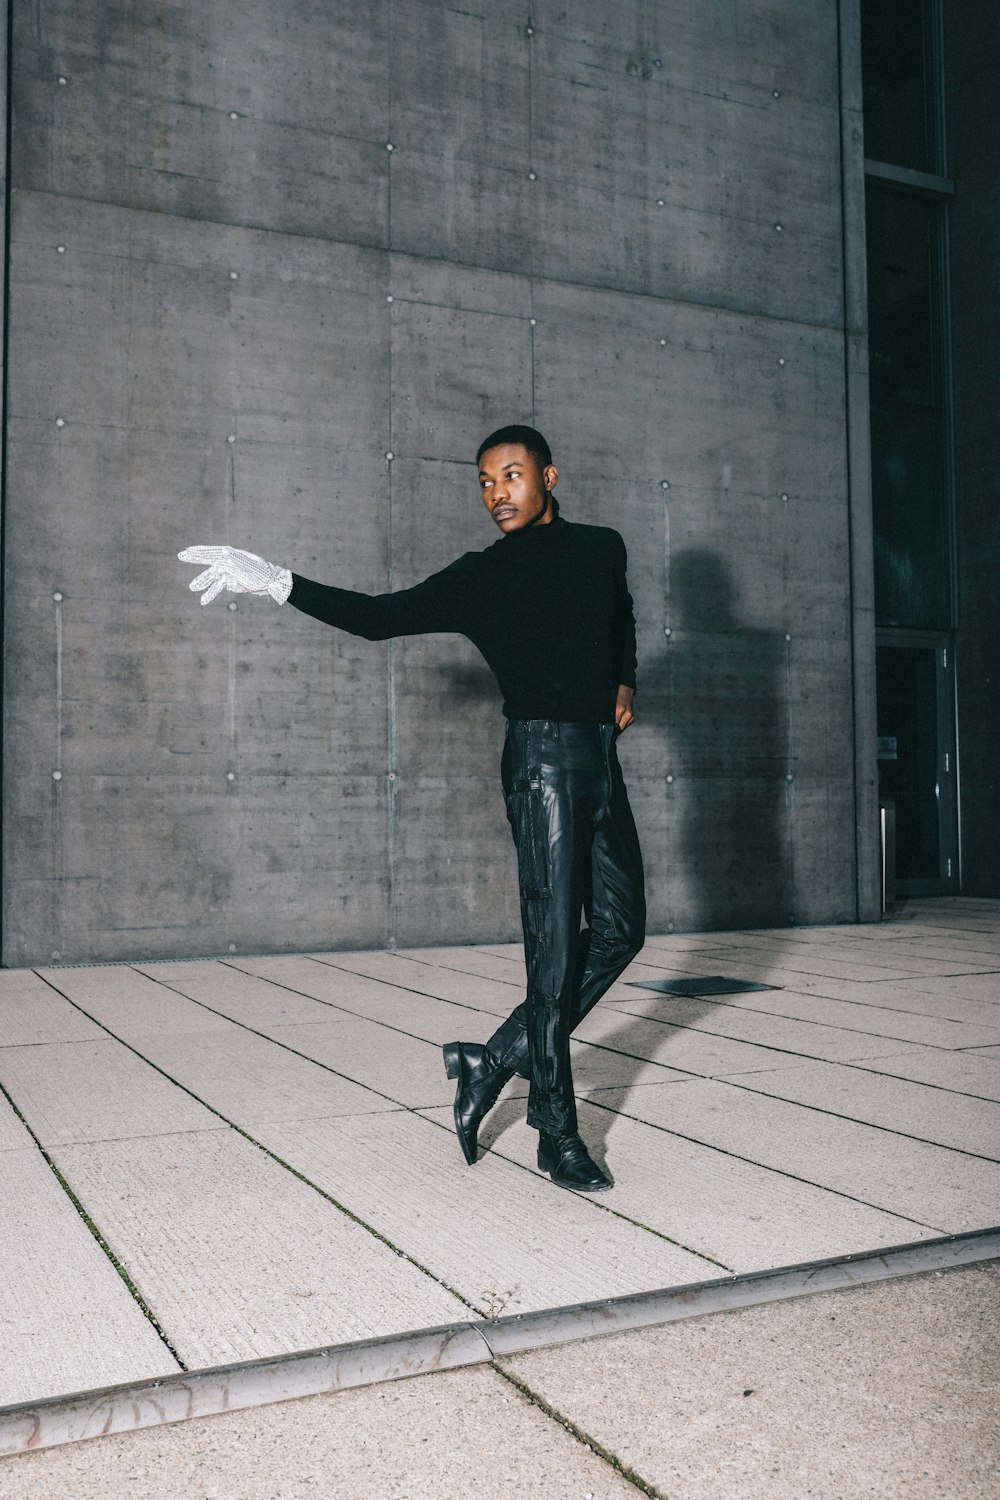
881, 1391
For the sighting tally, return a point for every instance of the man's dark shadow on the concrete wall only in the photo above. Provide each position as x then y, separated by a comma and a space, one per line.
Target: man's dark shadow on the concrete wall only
719, 695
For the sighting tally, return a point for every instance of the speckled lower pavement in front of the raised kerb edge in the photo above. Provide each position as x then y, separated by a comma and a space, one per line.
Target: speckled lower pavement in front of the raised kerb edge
890, 1391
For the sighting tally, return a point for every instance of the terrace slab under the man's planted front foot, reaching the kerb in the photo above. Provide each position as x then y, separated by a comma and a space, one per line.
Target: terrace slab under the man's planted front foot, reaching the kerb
743, 1216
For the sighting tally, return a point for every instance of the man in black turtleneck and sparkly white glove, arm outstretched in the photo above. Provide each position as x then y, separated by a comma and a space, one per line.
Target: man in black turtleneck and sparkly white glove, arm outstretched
549, 608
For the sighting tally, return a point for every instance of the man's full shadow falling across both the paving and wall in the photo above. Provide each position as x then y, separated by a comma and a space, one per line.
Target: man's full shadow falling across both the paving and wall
717, 697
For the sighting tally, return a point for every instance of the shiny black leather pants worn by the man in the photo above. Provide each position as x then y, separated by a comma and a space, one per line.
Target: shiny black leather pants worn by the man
578, 857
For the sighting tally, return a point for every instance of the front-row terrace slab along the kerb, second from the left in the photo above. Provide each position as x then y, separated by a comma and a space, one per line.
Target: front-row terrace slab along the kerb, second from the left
238, 1258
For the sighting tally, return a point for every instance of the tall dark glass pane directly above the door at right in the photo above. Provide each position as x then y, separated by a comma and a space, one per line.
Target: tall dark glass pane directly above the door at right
909, 472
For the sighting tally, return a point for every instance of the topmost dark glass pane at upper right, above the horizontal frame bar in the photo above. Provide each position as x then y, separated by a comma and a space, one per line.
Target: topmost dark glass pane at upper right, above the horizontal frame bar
899, 73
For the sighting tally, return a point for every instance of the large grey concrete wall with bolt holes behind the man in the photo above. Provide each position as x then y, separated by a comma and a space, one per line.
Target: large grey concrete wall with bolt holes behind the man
230, 302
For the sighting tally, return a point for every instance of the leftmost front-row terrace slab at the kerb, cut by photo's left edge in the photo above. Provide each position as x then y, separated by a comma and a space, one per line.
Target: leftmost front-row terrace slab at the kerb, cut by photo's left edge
67, 1318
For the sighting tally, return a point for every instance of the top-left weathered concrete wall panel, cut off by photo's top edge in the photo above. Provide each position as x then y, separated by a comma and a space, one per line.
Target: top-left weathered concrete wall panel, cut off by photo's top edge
146, 115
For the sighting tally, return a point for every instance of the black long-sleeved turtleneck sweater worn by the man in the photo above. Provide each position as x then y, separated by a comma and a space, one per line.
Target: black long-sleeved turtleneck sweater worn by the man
549, 610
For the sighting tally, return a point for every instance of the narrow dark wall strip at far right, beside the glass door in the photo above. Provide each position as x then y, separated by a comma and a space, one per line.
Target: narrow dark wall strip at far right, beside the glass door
972, 53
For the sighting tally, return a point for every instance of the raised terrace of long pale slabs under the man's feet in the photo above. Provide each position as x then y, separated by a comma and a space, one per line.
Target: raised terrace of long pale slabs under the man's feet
223, 1160
